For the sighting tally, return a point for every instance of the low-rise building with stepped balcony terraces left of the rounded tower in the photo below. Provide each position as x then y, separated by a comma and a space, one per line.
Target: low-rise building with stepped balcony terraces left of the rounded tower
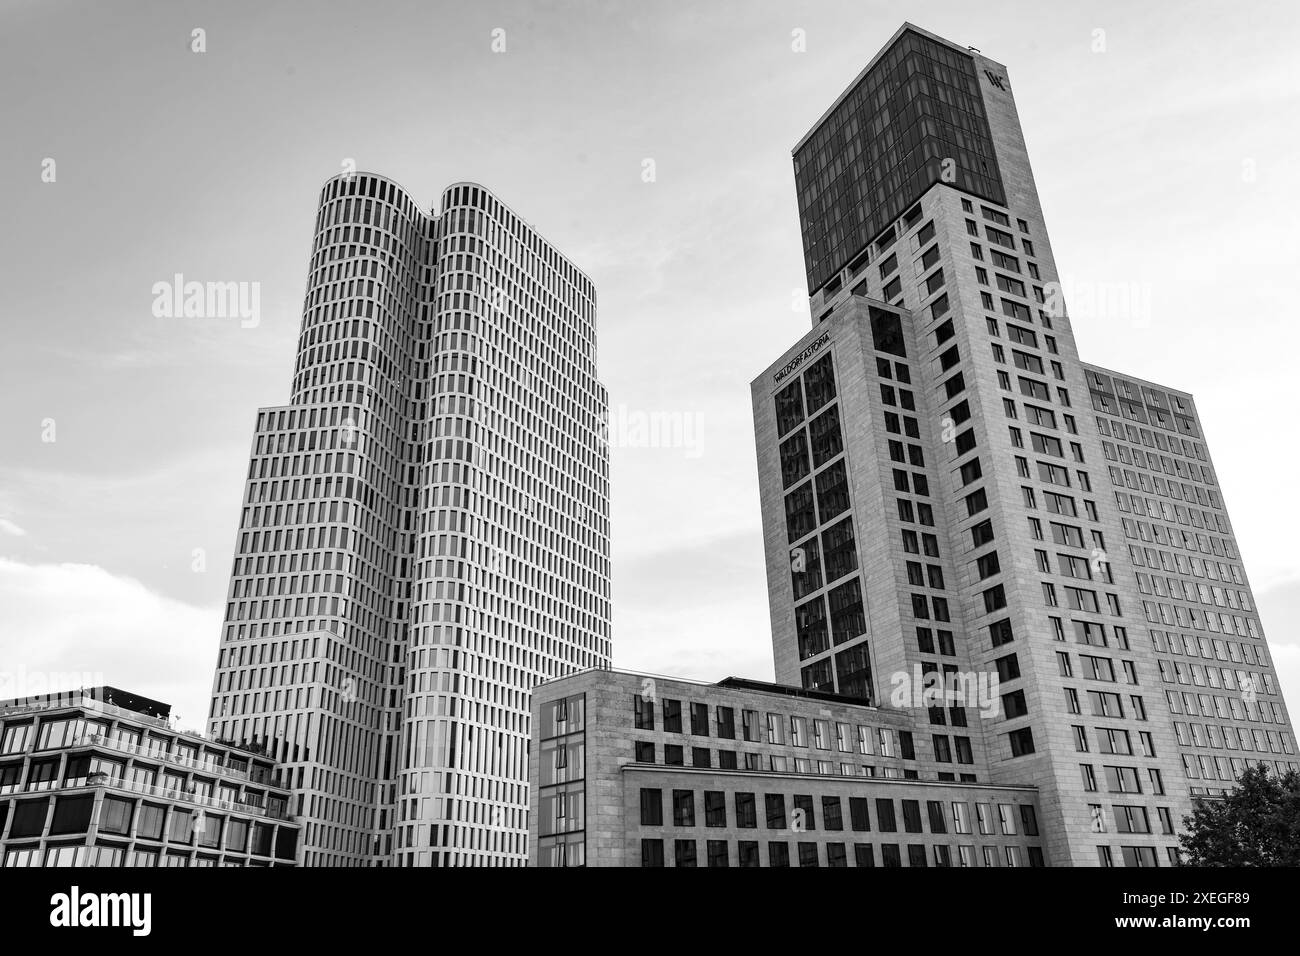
99, 778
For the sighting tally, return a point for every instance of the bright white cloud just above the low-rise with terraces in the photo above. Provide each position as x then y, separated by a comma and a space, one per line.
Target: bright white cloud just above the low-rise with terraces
73, 625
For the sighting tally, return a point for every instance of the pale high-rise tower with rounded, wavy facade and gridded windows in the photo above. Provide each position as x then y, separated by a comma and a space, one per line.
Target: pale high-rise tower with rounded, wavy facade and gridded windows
424, 534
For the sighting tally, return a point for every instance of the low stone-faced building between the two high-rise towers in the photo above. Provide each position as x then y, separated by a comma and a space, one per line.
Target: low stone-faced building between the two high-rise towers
632, 771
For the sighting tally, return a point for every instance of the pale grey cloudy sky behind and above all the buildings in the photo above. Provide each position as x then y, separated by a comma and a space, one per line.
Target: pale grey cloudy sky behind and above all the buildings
652, 144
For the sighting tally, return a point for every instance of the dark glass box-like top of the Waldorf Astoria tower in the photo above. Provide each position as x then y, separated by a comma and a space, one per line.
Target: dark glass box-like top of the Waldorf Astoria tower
885, 144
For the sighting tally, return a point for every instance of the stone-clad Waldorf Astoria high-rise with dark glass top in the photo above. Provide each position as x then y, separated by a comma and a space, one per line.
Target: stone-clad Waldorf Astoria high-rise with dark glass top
948, 488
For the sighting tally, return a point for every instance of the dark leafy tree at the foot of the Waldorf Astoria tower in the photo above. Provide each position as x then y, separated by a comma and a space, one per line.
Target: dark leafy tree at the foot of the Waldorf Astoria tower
1258, 824
